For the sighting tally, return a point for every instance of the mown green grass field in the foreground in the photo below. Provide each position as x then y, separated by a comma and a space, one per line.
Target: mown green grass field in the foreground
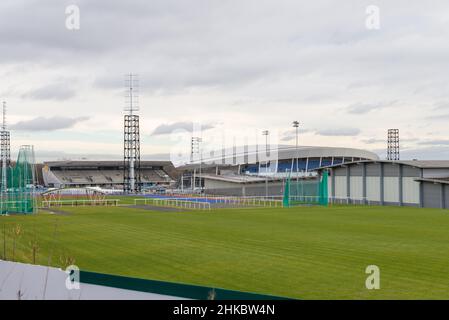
303, 252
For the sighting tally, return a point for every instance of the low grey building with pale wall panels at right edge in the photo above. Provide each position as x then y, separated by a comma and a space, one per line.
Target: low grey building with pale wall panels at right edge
383, 182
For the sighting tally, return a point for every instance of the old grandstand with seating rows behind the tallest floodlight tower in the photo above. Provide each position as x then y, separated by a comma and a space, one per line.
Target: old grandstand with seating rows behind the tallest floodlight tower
105, 174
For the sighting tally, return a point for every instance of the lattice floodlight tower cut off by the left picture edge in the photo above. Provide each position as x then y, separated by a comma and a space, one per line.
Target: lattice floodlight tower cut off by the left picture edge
5, 154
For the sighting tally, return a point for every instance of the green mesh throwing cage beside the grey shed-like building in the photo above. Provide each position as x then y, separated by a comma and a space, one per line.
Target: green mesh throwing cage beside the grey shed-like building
306, 191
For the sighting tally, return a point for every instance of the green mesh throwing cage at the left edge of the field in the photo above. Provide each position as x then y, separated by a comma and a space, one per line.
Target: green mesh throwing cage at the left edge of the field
18, 196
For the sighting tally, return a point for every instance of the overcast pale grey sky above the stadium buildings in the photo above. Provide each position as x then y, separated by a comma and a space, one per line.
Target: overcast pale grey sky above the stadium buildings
235, 67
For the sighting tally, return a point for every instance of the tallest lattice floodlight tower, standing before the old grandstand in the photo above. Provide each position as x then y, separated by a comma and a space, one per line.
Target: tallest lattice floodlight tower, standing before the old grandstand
131, 148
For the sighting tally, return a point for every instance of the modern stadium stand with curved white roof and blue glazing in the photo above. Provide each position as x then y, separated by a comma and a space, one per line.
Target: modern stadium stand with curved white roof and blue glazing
260, 171
